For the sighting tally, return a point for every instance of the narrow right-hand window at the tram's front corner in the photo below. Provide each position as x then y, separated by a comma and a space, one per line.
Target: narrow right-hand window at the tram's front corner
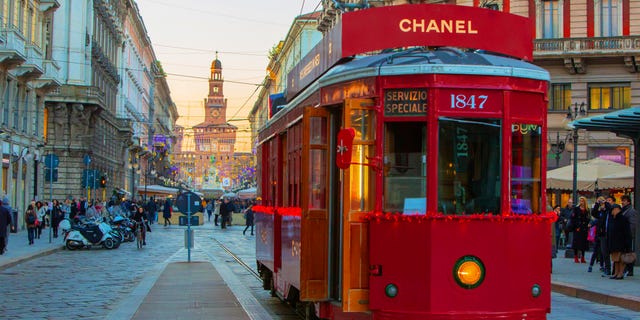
525, 168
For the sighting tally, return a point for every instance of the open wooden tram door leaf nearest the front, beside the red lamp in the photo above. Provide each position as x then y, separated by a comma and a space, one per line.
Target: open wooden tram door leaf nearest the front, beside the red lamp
358, 198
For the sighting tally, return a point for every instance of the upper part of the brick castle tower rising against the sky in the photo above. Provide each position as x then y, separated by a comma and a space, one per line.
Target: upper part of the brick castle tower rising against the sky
215, 103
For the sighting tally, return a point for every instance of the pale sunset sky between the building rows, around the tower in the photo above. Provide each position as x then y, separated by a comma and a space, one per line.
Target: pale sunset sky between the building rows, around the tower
186, 35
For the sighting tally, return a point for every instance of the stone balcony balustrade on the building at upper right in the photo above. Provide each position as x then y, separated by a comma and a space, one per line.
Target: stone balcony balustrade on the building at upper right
596, 46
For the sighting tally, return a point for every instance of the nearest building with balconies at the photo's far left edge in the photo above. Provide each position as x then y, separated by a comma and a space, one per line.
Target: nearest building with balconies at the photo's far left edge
27, 73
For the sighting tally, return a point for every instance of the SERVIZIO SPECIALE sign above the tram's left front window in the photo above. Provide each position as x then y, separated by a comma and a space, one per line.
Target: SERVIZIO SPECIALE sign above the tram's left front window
405, 102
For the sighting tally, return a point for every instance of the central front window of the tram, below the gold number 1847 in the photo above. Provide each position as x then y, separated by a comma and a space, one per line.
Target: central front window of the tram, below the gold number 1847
469, 165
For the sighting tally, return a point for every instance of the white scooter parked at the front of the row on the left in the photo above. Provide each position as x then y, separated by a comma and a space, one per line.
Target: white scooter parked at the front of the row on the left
76, 236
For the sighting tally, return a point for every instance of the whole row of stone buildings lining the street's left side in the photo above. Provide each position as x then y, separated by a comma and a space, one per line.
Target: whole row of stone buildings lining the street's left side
75, 77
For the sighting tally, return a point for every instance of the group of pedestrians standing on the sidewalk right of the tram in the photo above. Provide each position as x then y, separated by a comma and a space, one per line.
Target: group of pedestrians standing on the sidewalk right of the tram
607, 226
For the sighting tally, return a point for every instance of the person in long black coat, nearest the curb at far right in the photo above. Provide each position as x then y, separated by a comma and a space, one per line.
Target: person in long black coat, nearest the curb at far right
619, 240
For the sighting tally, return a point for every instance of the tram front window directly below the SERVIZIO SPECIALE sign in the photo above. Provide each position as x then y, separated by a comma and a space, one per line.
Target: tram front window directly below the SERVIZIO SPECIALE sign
405, 168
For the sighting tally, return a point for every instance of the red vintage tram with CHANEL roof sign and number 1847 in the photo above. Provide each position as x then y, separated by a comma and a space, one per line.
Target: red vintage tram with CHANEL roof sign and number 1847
408, 184
